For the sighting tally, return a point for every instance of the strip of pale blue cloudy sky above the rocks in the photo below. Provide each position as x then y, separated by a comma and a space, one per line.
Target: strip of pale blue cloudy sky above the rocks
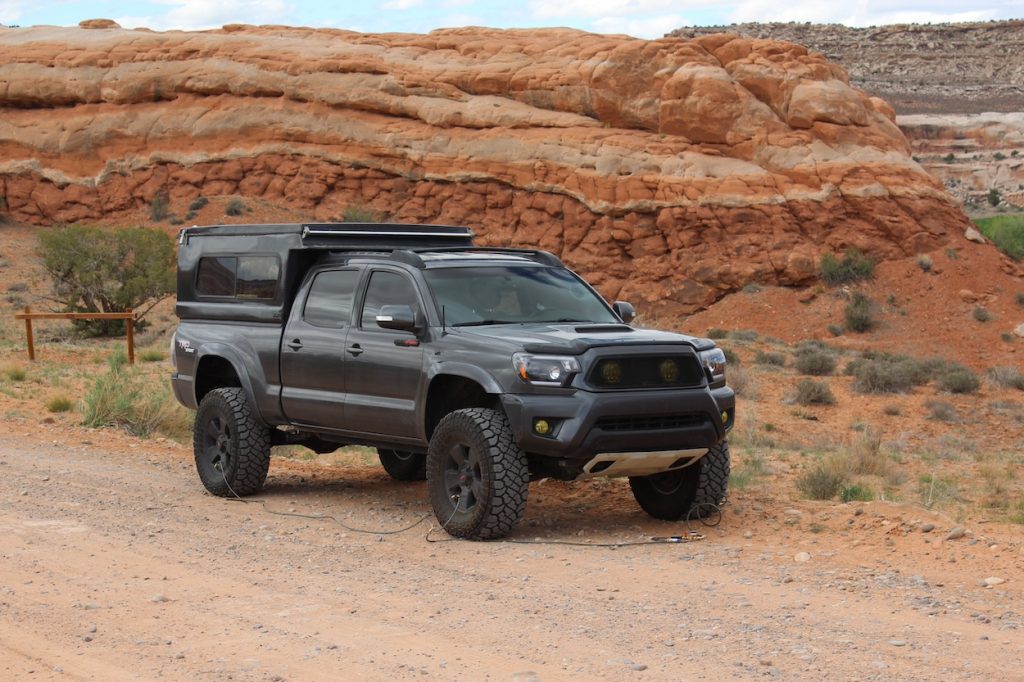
644, 19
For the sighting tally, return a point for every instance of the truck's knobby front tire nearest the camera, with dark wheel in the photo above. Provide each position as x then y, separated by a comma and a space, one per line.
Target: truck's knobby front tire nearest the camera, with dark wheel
486, 497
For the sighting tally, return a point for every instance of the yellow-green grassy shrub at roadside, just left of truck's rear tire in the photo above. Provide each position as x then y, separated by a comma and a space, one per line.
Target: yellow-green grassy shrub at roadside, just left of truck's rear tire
123, 398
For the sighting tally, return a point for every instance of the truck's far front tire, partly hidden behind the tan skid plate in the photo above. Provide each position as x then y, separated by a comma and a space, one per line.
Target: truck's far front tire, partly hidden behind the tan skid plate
688, 493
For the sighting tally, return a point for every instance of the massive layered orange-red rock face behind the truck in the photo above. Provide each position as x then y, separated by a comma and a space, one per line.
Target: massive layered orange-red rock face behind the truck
669, 172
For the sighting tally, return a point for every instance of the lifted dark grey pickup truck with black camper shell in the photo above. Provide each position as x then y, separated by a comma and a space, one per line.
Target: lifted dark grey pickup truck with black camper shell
478, 369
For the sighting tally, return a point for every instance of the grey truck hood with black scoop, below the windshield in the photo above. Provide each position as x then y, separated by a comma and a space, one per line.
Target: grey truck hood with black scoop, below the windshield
570, 339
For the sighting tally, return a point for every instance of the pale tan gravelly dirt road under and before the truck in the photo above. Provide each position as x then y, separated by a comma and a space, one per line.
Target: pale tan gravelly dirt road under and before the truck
115, 565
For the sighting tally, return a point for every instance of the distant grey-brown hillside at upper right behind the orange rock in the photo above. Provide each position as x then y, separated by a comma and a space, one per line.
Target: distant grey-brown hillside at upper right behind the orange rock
919, 69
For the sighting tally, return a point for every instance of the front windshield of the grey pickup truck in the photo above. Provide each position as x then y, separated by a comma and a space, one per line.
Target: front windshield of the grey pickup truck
515, 294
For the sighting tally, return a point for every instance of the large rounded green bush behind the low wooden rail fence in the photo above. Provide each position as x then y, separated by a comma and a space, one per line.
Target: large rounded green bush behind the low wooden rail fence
105, 271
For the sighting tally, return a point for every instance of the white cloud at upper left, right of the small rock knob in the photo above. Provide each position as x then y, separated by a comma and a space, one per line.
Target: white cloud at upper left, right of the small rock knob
193, 15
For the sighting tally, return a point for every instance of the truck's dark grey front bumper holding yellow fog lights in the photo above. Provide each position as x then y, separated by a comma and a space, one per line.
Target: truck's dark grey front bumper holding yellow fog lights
586, 424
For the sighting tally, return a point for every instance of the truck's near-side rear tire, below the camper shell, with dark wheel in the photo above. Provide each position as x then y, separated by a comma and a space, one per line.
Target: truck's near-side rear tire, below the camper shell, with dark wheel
232, 446
